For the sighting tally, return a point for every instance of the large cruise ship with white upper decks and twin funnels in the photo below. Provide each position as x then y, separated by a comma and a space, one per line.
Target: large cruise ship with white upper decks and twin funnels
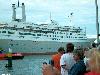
25, 37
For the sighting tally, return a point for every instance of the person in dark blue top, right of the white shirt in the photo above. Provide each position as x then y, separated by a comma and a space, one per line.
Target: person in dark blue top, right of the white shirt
79, 67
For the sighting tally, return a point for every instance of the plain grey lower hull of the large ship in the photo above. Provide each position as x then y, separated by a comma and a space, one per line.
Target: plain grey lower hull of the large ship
28, 46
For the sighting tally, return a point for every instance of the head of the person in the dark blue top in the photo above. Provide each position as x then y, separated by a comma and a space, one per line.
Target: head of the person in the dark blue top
78, 55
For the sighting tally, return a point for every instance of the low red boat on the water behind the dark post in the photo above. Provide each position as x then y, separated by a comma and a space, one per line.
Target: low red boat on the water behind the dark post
14, 56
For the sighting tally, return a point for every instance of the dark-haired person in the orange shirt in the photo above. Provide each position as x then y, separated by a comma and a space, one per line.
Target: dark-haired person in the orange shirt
56, 58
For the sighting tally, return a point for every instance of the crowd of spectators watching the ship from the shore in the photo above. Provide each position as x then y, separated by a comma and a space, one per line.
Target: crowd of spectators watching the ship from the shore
79, 61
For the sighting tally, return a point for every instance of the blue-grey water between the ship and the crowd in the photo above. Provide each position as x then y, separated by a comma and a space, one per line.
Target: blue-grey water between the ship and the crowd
30, 65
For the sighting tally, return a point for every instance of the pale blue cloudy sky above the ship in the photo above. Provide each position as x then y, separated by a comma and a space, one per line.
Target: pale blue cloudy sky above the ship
38, 11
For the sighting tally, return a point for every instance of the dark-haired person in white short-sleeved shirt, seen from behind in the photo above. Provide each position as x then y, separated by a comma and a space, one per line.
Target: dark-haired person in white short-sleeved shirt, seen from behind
67, 61
